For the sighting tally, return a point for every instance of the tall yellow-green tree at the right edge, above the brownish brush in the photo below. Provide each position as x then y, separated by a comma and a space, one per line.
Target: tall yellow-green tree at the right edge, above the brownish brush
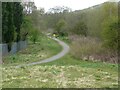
110, 25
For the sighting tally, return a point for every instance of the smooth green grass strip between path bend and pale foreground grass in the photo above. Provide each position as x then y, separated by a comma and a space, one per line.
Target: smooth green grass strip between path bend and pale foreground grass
70, 60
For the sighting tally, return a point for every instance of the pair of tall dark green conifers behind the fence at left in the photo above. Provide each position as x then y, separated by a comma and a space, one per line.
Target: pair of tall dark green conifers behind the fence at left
11, 22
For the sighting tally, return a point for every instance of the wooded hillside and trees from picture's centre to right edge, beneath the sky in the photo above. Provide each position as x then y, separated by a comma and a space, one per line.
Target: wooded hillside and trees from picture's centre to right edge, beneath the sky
99, 21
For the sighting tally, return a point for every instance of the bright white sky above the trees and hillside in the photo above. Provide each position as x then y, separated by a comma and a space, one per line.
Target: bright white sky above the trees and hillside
73, 4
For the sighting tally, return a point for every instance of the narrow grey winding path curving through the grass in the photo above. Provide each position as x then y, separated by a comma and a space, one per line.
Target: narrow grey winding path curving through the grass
53, 58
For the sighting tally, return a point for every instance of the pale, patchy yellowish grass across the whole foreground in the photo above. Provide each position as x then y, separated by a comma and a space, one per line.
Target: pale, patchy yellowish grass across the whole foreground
62, 76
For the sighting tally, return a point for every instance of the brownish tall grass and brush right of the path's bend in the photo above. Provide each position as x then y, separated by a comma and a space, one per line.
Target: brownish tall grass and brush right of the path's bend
88, 48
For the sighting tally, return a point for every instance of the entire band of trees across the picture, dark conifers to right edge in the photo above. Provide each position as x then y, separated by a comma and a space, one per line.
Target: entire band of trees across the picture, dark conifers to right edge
21, 19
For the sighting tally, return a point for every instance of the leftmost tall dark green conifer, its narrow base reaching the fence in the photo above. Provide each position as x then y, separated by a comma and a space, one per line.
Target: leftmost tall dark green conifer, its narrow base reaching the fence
8, 30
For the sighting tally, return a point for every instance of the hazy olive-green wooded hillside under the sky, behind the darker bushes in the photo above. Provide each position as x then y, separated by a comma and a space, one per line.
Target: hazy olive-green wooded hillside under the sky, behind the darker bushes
92, 18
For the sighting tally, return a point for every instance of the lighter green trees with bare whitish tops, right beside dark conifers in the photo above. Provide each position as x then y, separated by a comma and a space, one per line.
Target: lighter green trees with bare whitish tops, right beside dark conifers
31, 24
